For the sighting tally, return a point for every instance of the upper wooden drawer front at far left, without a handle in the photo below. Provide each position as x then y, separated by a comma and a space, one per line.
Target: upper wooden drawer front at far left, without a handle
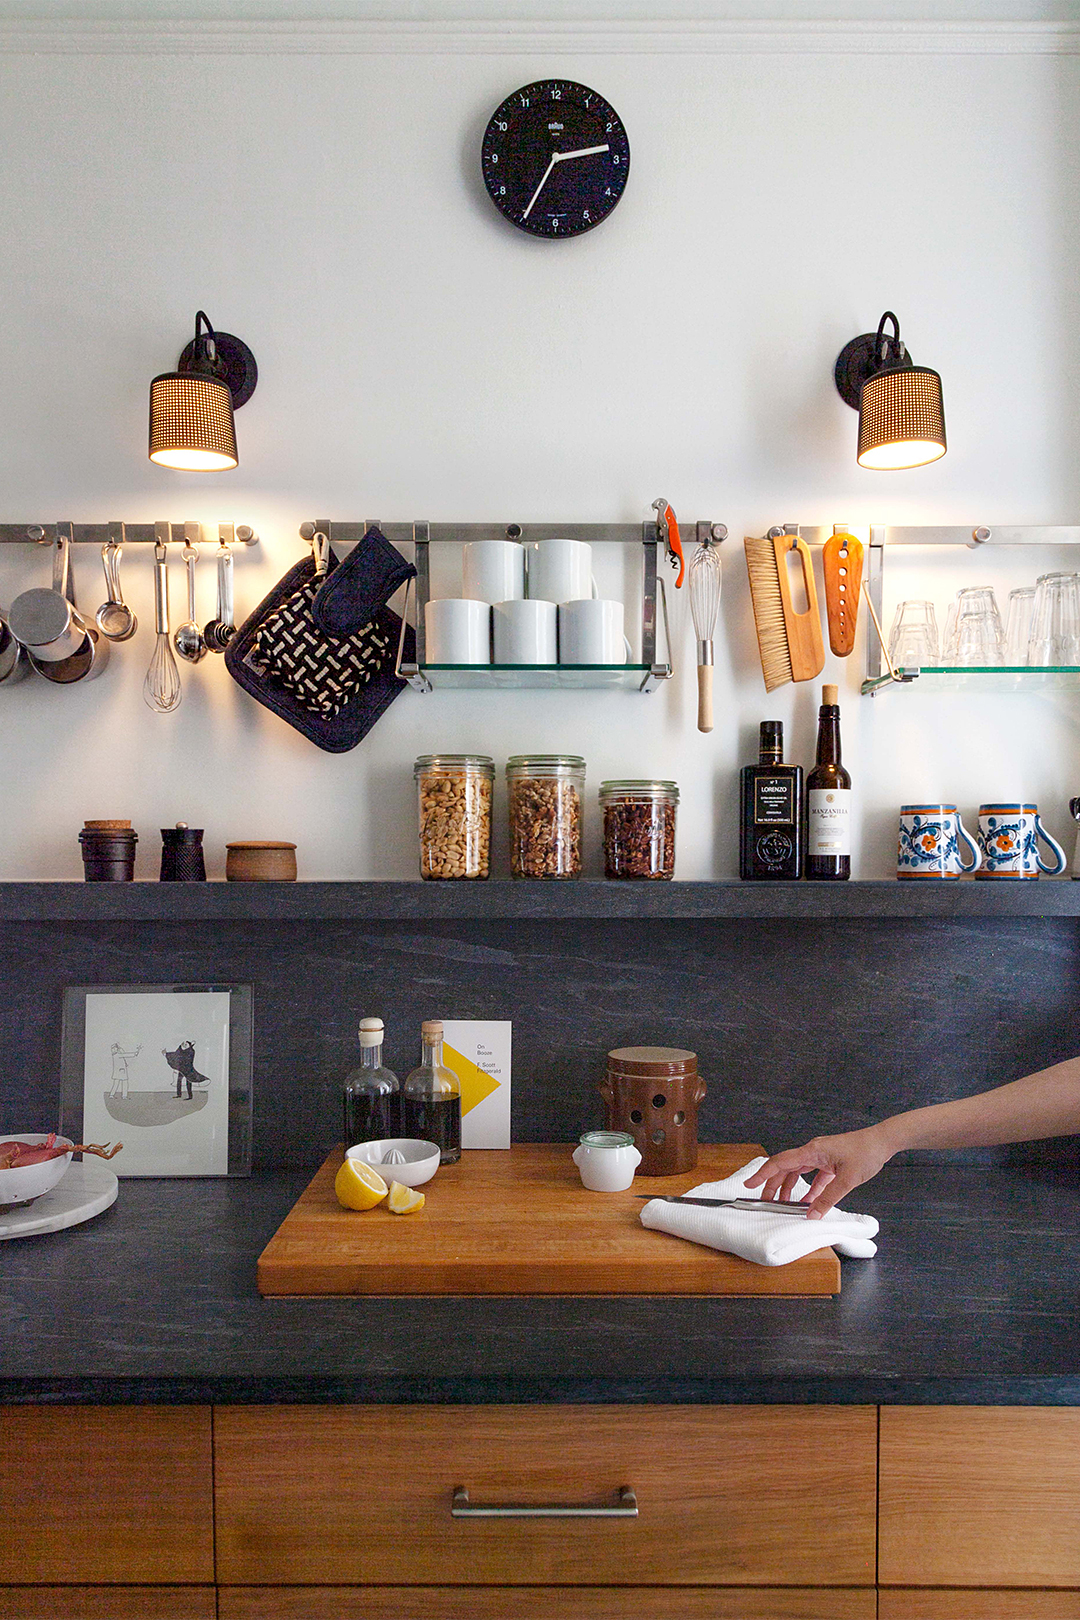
108, 1494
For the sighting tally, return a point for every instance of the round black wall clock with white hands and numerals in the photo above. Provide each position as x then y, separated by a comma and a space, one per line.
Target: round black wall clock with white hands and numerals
556, 158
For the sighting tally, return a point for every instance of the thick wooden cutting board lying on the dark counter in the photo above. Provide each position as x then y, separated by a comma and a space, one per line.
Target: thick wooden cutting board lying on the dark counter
519, 1222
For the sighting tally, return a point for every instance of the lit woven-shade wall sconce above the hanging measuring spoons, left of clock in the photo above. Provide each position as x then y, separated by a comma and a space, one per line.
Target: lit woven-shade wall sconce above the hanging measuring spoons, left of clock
192, 409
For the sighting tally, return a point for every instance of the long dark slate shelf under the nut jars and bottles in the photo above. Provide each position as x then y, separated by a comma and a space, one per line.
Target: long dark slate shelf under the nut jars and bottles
503, 900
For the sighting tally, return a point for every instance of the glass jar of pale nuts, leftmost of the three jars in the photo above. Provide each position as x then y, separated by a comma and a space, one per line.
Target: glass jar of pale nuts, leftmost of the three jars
454, 793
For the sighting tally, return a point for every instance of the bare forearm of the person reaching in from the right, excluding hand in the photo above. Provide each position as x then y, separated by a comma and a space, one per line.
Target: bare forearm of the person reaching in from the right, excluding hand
1045, 1104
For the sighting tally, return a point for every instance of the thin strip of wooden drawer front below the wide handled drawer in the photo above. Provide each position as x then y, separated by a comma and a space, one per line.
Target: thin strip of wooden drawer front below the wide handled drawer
542, 1603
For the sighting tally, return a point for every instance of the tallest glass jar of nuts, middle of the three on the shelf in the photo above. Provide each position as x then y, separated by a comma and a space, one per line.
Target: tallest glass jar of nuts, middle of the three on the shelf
545, 793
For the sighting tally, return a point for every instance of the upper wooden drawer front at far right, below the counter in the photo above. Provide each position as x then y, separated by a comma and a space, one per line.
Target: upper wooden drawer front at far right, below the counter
980, 1496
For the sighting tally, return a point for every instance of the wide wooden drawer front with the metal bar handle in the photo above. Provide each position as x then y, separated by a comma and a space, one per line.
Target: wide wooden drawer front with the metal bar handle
746, 1496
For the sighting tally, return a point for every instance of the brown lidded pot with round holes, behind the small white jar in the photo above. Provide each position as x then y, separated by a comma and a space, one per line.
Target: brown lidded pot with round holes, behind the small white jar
653, 1093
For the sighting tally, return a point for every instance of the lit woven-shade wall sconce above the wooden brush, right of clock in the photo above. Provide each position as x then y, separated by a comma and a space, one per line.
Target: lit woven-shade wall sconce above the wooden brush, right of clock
901, 411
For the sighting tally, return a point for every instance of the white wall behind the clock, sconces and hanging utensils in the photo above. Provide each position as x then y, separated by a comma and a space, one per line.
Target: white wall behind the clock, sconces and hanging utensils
420, 359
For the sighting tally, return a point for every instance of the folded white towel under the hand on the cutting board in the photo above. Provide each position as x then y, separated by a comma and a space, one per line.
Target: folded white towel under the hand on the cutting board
767, 1240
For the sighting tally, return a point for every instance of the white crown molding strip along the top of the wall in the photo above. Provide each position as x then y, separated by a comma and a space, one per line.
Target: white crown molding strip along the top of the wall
57, 36
